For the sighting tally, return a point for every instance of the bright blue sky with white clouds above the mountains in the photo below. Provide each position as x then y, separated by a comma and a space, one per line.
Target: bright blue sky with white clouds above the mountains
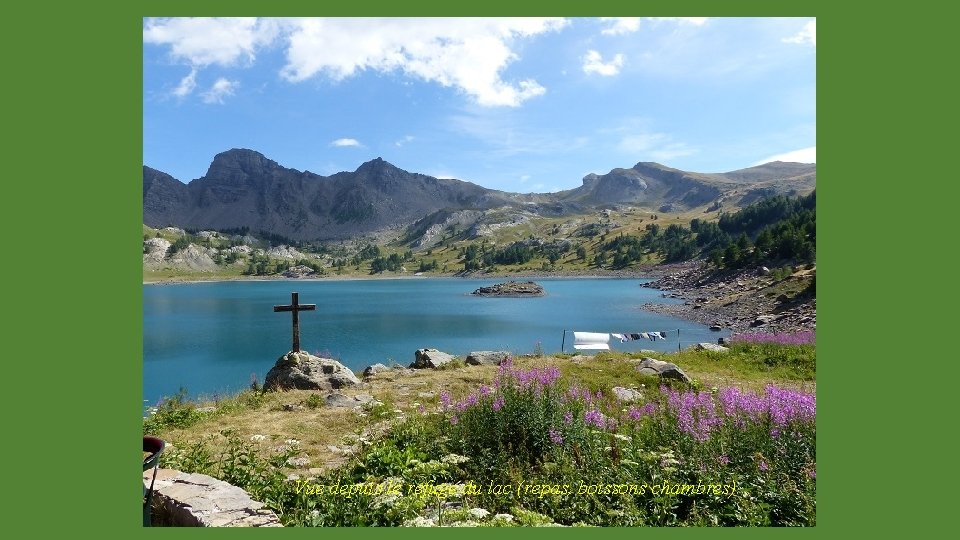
522, 104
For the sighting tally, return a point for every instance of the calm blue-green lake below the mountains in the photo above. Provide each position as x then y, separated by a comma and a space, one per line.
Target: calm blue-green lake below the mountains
211, 338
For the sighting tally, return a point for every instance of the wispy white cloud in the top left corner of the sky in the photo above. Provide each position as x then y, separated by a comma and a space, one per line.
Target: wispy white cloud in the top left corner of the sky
205, 41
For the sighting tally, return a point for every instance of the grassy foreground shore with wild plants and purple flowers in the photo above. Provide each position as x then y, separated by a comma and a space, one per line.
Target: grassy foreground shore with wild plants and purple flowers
414, 428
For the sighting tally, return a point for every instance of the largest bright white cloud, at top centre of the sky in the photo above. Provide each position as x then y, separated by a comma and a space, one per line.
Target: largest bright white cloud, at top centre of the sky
465, 53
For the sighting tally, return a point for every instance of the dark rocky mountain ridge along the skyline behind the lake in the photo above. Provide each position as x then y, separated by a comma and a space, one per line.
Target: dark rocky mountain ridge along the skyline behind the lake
243, 188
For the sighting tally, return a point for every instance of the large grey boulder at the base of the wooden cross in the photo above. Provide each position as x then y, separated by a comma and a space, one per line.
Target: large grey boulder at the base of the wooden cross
303, 371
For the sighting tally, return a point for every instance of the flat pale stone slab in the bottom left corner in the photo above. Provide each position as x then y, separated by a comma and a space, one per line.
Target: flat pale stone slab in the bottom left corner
196, 500
